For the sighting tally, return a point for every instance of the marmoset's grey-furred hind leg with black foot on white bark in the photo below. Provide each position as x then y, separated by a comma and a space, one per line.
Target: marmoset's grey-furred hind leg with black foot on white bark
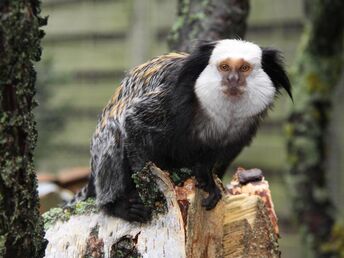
115, 190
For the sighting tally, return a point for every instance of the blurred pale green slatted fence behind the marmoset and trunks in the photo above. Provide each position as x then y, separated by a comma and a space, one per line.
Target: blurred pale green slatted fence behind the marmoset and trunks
90, 44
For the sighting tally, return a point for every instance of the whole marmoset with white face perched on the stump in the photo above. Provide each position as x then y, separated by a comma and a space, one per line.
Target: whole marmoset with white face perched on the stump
196, 111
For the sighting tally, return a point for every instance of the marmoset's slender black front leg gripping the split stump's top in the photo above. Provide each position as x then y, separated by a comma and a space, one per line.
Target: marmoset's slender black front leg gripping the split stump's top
205, 181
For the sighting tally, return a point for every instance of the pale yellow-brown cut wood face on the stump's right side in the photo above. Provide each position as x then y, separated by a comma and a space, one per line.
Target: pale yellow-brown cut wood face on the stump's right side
247, 228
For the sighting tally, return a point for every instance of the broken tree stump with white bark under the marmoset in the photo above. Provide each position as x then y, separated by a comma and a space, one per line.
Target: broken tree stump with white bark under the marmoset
239, 226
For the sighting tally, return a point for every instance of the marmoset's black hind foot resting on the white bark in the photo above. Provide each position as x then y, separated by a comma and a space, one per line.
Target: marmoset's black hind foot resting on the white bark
131, 209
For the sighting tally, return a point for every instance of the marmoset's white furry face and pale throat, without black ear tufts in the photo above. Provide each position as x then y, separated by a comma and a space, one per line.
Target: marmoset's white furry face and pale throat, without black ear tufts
254, 90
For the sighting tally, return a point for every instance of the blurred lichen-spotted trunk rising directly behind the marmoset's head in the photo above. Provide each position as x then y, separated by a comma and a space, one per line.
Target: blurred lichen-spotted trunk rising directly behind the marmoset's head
208, 20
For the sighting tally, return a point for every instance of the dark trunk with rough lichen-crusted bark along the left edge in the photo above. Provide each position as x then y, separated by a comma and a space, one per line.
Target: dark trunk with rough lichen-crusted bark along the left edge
21, 228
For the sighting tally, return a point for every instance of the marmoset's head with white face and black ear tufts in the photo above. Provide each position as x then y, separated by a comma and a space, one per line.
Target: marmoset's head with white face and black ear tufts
238, 76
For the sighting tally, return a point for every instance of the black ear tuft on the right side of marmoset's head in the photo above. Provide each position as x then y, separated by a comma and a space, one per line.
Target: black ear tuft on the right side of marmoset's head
273, 65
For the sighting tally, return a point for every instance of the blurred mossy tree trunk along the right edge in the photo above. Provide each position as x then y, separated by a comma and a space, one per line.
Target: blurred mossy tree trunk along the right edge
317, 71
